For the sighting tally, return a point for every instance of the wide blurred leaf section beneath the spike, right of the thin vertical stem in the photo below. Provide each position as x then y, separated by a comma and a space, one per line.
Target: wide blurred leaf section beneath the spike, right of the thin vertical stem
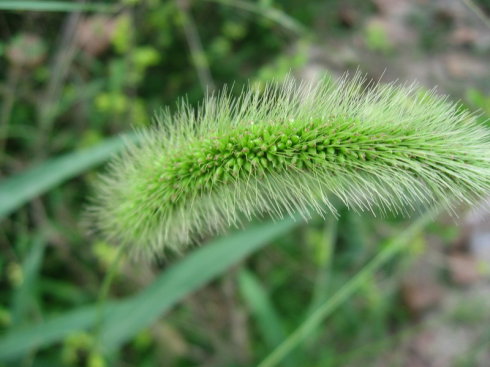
194, 271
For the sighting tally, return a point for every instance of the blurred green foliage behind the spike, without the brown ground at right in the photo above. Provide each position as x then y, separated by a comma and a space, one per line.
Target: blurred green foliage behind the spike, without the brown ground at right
63, 104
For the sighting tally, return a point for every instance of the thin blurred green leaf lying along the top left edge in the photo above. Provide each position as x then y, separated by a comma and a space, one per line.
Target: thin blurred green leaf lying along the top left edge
62, 6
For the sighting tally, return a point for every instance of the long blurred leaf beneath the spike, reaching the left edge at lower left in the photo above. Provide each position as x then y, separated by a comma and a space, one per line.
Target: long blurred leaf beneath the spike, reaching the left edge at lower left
124, 319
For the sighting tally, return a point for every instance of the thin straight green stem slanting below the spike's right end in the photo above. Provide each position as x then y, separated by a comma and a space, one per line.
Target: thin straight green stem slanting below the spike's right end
388, 252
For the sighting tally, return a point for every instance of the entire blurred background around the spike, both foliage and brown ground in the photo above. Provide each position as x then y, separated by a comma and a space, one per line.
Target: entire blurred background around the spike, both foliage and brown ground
73, 75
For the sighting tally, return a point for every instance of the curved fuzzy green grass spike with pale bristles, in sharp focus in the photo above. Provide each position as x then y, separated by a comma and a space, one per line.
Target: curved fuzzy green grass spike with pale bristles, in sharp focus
287, 148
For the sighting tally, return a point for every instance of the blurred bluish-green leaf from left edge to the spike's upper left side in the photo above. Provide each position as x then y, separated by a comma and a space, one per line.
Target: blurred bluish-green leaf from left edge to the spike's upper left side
19, 189
